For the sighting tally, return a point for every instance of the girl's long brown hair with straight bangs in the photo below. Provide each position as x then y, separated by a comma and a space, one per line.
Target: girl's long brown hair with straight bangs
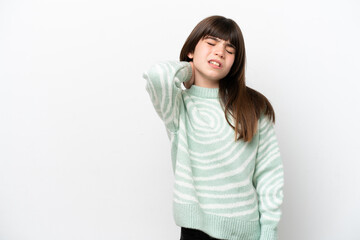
242, 103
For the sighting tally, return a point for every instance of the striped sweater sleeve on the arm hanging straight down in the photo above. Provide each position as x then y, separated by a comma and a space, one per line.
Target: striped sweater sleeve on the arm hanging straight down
268, 179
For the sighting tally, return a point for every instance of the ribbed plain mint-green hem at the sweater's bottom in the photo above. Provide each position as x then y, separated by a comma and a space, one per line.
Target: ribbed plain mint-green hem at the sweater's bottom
192, 216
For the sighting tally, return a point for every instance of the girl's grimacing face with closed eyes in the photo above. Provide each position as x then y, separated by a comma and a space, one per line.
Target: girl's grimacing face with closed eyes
212, 58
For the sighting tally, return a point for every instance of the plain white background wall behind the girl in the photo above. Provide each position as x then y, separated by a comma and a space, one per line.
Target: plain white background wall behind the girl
83, 154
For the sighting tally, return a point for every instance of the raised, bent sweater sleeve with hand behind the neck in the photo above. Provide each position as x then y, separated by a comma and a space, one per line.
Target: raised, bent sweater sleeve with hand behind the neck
163, 83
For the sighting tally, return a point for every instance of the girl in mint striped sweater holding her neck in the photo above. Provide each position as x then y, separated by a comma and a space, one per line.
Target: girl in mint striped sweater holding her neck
228, 173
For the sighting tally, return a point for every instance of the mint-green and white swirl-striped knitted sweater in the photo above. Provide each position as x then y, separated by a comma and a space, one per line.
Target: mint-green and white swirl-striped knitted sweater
229, 190
